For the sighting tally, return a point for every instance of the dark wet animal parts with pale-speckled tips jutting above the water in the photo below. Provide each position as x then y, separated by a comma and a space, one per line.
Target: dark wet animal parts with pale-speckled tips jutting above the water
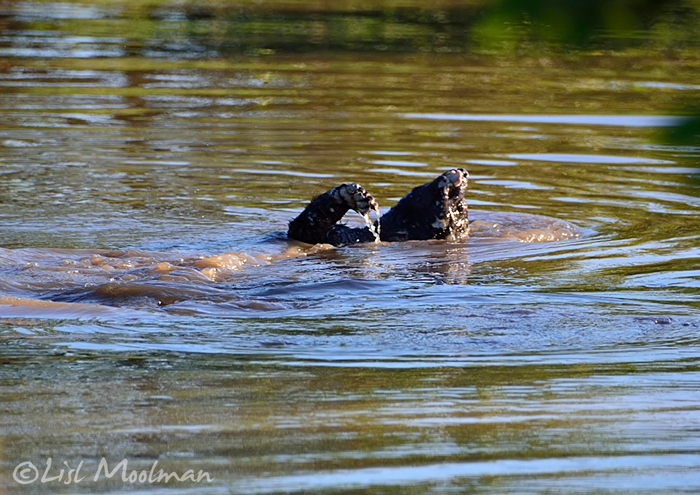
436, 210
